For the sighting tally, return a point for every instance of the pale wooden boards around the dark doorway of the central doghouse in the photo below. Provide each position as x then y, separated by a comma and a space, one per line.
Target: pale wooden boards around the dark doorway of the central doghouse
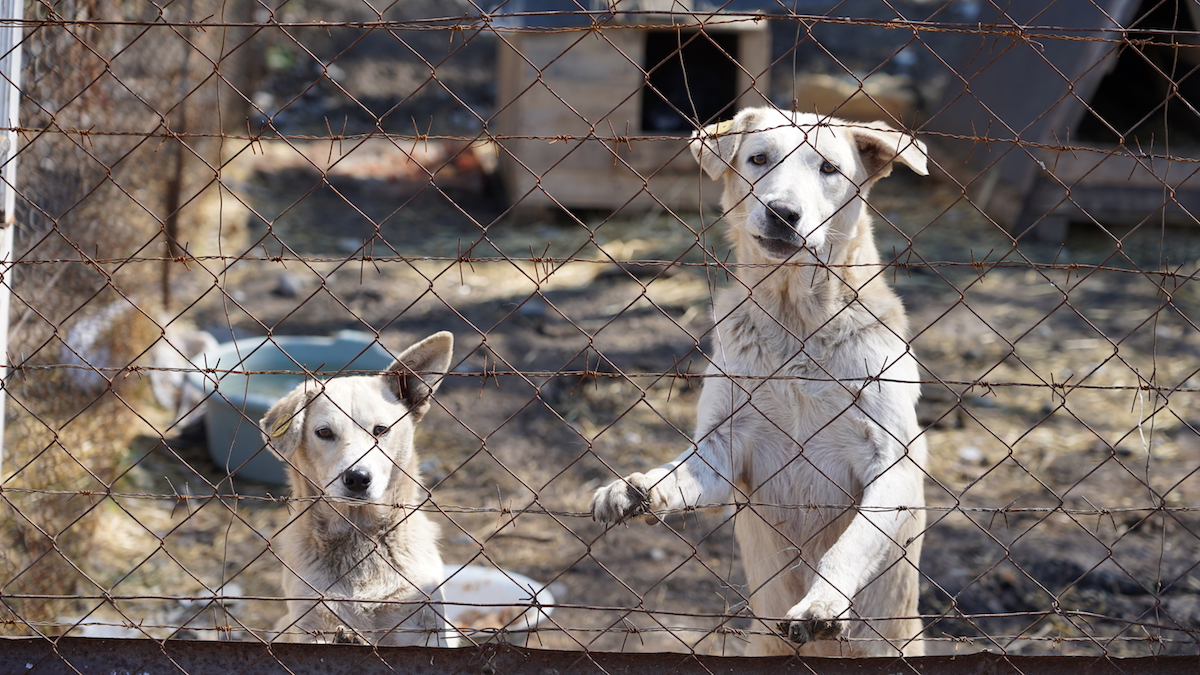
593, 87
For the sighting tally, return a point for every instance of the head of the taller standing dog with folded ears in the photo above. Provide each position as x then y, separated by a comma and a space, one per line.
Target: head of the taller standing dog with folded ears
795, 182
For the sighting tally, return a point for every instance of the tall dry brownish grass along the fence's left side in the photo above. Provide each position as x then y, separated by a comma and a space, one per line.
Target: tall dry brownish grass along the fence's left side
91, 208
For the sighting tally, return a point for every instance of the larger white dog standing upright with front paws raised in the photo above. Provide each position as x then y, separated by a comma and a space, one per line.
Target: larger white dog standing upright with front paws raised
811, 417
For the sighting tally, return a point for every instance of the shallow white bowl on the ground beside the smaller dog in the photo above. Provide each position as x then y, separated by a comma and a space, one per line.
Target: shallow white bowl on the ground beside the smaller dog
485, 605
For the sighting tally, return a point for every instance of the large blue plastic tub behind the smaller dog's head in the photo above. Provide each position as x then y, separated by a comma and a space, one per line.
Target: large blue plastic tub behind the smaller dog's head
236, 402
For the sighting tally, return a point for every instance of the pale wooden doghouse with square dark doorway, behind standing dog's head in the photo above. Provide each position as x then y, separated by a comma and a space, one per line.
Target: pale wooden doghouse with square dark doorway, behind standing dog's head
599, 118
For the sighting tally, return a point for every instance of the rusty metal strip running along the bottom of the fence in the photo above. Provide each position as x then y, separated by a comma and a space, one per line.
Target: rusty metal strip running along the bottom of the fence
75, 656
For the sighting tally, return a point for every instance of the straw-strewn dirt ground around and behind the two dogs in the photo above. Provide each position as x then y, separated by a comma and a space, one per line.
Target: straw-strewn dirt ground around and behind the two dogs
1059, 482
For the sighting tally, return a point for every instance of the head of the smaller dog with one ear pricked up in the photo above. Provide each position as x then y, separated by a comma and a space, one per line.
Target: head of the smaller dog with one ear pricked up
353, 437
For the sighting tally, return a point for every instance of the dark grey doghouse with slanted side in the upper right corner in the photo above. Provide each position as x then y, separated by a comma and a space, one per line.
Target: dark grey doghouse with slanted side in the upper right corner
1063, 126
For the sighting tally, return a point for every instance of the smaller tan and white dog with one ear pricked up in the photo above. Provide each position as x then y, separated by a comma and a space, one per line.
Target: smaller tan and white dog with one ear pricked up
361, 563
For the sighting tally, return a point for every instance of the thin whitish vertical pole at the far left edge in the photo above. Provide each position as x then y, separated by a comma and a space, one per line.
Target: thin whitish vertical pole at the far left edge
11, 35
